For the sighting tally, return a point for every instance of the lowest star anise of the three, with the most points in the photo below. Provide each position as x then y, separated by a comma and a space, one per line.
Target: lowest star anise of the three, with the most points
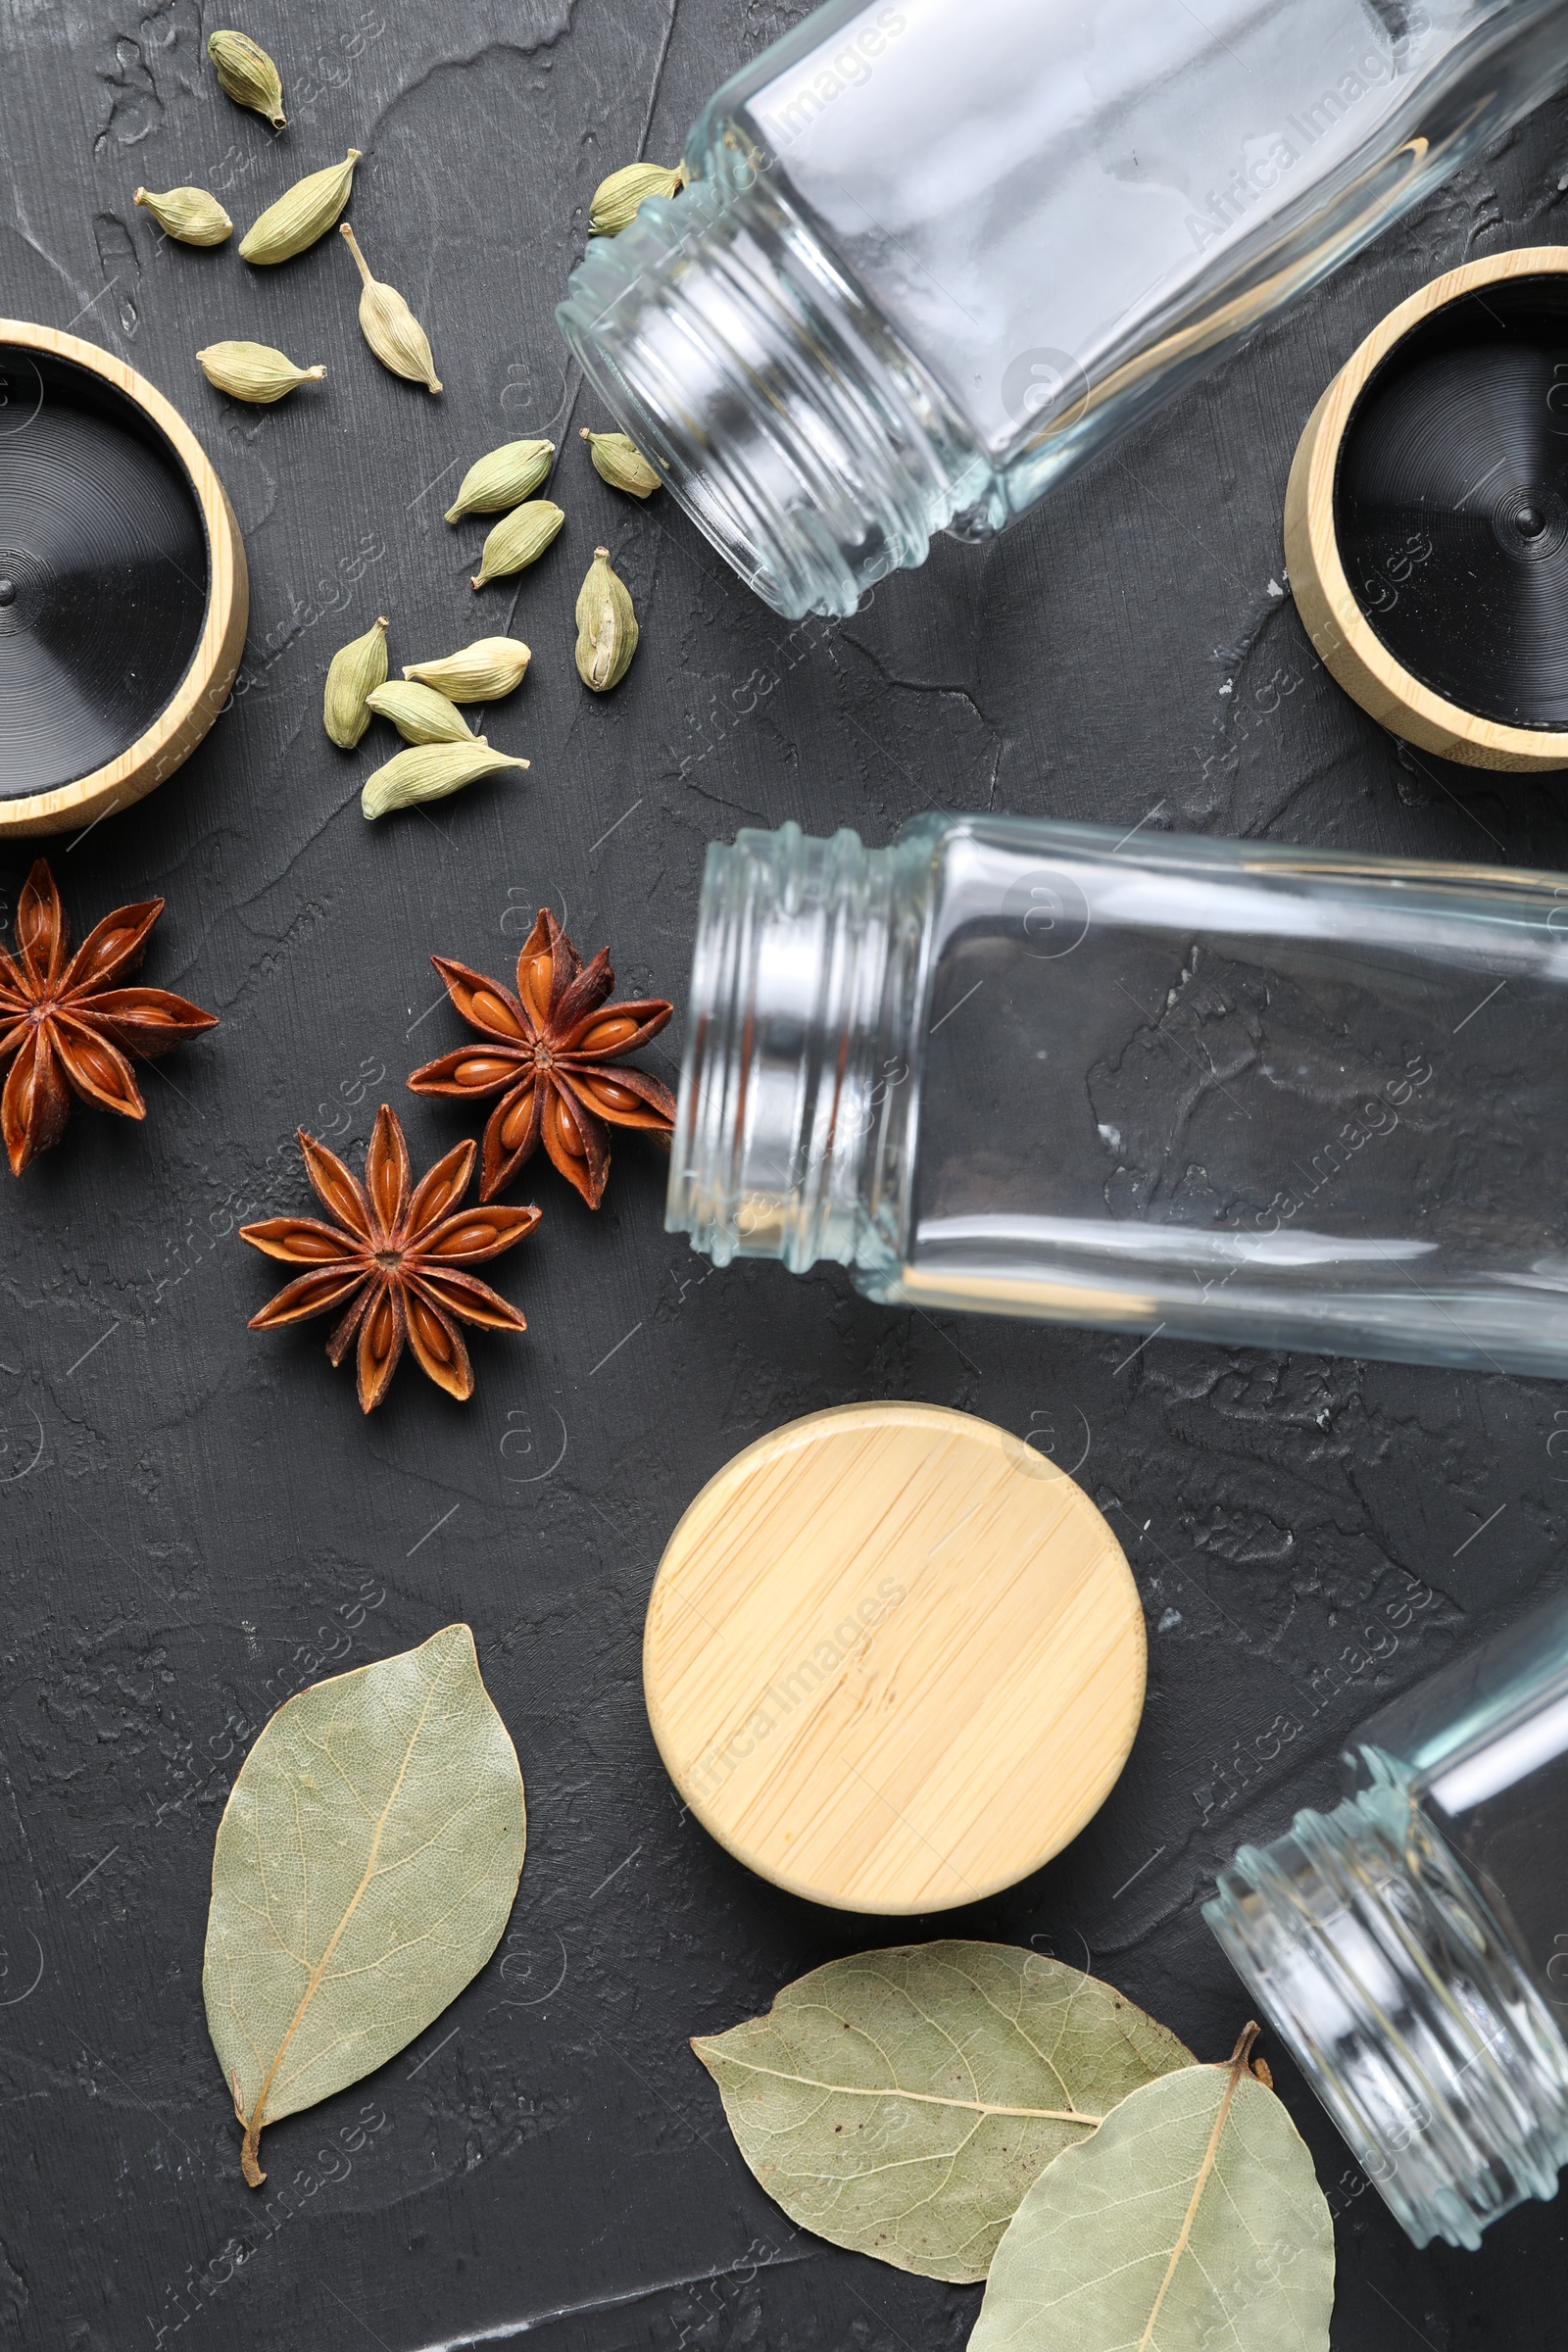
396, 1259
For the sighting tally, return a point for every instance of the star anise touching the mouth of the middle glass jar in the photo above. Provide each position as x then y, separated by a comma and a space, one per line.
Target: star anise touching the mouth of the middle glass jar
554, 1055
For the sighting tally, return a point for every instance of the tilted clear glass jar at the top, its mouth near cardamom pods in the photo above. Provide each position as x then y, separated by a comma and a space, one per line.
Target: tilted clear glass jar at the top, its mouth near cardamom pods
942, 250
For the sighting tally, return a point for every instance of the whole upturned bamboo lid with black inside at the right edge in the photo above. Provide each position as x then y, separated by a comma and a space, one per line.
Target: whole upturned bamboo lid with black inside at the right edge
1428, 516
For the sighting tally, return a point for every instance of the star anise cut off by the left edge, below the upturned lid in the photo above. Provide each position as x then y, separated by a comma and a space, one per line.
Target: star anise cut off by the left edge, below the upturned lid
67, 1027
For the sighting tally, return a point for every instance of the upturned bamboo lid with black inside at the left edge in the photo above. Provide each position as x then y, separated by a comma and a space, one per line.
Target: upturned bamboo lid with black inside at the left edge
123, 589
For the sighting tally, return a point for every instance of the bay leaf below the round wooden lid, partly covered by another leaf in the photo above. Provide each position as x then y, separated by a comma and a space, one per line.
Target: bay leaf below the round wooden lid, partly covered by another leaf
904, 2102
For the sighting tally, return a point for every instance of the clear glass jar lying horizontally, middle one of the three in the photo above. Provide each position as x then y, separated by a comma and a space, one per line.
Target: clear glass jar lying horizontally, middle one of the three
1224, 1090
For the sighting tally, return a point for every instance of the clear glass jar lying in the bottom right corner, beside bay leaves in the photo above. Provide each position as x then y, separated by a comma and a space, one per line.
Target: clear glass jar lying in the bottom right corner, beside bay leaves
1414, 1944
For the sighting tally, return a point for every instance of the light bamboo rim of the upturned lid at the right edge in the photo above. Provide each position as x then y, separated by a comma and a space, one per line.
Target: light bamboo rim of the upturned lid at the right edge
1336, 620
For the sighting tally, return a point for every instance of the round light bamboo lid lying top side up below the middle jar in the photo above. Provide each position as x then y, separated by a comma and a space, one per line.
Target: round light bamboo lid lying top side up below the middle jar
894, 1659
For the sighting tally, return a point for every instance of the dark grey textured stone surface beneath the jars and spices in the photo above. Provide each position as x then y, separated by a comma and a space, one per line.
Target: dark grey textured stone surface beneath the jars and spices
187, 1504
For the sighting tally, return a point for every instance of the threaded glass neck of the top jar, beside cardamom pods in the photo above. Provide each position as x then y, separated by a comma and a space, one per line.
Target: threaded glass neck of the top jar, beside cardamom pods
791, 425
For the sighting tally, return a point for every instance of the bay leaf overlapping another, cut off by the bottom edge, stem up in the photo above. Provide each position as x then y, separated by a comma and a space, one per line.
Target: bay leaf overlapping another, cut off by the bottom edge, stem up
1193, 2219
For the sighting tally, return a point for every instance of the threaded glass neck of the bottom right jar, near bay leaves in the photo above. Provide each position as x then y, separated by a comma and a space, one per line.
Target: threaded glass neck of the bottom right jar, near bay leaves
1405, 2007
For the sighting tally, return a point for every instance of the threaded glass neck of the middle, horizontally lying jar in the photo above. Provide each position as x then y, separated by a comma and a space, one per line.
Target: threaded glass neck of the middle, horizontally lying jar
798, 1100
